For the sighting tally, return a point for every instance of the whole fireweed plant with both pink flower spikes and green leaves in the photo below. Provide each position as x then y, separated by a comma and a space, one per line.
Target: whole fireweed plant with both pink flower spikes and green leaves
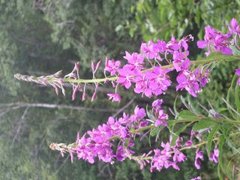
147, 73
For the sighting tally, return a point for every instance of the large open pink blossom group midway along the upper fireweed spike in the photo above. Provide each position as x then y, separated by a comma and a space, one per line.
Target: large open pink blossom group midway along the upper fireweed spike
149, 77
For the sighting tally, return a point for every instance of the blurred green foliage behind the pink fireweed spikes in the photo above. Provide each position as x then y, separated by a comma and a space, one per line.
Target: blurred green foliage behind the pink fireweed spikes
41, 37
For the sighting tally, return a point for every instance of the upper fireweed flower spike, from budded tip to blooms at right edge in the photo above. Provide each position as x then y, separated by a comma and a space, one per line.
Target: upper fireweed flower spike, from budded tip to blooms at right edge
148, 70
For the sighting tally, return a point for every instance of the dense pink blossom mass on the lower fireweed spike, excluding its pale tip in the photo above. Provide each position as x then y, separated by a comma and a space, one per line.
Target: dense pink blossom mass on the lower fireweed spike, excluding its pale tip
99, 142
